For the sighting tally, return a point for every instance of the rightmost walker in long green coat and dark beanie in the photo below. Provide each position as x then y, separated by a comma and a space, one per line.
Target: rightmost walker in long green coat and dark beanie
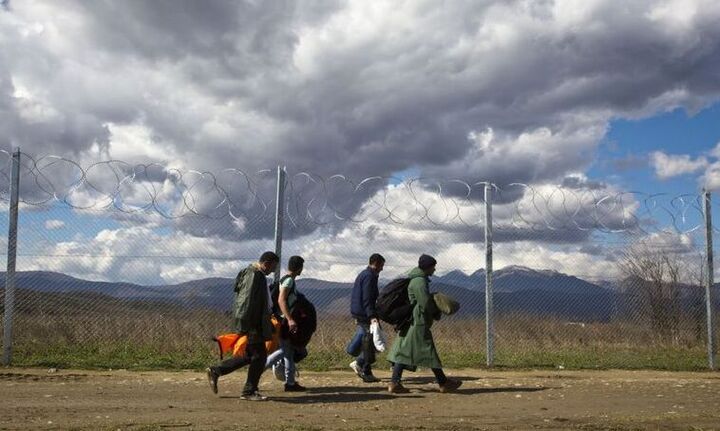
414, 346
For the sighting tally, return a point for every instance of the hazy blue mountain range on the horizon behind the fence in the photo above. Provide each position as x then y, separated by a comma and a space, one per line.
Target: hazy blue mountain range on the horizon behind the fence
516, 289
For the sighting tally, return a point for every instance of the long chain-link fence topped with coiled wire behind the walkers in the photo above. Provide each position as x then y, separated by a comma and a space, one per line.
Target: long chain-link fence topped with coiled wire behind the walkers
131, 266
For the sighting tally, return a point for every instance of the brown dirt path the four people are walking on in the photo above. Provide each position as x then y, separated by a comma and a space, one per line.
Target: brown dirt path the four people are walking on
588, 400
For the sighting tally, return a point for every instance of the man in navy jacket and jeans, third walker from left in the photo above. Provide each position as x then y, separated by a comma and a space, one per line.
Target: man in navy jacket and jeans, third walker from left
362, 308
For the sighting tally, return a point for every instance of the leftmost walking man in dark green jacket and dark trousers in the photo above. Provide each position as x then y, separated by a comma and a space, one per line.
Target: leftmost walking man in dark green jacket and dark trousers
251, 311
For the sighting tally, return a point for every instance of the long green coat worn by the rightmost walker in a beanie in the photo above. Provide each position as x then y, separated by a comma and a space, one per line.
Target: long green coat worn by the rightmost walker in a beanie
415, 346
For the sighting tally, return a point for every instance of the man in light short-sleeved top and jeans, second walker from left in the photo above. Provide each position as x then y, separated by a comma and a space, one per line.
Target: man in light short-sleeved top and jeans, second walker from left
287, 296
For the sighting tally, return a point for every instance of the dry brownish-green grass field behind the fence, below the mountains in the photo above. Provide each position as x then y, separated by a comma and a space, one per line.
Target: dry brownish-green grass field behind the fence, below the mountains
181, 340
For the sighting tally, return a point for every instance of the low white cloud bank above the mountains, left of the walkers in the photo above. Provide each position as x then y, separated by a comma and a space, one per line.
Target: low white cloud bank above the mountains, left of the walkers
143, 255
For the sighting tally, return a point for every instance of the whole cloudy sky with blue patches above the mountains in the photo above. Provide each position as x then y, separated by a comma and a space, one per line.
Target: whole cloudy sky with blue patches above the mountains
390, 116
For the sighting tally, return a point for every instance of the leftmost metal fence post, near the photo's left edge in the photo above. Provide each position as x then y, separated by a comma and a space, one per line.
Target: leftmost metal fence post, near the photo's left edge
11, 259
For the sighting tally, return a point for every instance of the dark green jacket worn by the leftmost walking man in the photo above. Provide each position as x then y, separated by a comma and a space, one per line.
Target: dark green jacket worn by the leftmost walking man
251, 309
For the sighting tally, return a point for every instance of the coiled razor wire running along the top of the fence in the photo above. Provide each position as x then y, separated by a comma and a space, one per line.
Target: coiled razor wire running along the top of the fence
314, 200
